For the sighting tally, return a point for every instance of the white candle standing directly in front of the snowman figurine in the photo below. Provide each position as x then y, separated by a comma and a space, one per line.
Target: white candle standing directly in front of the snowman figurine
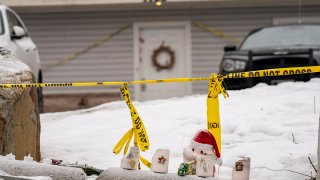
205, 166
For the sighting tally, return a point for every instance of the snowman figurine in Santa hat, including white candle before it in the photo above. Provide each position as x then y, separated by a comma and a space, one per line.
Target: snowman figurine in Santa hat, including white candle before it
203, 150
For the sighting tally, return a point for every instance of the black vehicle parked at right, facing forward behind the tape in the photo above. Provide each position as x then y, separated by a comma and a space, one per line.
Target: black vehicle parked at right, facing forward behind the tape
273, 47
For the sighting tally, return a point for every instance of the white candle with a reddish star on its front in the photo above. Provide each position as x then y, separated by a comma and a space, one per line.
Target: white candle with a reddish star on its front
160, 161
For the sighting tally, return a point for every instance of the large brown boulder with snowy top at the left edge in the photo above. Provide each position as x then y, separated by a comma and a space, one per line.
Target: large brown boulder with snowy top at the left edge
19, 114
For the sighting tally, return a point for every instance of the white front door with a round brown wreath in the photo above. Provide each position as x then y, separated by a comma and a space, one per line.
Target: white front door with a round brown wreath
162, 50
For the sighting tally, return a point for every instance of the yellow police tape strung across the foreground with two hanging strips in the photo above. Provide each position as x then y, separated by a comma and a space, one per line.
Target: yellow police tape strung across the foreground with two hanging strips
215, 87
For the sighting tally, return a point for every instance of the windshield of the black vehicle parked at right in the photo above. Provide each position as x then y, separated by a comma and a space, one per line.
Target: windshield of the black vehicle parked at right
283, 36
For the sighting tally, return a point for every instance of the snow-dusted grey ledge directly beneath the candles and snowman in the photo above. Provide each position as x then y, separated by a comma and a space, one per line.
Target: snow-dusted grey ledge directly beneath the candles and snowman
122, 174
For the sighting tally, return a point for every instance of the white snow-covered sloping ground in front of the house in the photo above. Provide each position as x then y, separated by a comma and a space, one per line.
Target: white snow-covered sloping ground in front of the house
276, 126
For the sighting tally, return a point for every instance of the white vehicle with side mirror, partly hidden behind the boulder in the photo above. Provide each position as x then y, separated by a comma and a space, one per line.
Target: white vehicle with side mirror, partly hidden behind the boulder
15, 37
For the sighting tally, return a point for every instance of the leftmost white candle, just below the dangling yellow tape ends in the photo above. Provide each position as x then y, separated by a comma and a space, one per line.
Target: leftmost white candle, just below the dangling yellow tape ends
131, 161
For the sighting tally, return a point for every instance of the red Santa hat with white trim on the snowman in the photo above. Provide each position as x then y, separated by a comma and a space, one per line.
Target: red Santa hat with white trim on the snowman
203, 139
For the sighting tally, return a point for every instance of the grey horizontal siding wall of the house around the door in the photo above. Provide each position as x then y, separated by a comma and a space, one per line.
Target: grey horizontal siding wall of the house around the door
59, 33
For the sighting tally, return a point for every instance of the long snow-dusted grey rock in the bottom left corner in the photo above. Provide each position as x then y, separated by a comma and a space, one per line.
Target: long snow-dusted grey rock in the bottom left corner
24, 168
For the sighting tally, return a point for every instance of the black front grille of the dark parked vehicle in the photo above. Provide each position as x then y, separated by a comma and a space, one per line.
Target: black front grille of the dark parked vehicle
279, 63
